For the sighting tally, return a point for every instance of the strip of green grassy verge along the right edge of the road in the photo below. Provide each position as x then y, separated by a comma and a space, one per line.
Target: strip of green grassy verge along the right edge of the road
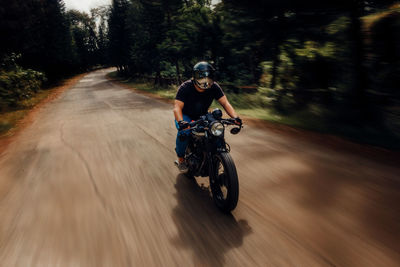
257, 106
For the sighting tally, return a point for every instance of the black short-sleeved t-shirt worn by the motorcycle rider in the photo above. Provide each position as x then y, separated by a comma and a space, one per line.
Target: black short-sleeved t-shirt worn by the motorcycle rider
196, 103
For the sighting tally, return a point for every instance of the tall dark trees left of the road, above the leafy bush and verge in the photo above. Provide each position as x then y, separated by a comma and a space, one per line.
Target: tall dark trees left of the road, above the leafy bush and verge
51, 40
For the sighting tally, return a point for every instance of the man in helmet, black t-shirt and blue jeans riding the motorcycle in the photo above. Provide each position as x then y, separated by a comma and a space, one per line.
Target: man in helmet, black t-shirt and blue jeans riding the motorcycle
192, 100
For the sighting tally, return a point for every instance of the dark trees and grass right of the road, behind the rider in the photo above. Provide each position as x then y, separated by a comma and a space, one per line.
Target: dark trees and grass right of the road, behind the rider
331, 66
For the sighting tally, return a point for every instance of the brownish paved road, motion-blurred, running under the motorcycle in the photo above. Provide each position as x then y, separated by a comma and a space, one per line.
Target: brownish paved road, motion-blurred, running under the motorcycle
91, 183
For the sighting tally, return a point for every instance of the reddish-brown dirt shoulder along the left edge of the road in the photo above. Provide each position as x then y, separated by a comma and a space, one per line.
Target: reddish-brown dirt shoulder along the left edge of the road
11, 134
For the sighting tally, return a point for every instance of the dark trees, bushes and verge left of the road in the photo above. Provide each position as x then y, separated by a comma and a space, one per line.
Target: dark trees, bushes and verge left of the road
43, 44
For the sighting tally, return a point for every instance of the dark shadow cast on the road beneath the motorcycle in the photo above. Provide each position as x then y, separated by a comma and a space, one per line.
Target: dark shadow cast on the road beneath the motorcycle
201, 227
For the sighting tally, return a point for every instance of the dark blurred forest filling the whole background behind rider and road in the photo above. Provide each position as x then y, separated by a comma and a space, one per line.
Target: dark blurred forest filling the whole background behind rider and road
329, 66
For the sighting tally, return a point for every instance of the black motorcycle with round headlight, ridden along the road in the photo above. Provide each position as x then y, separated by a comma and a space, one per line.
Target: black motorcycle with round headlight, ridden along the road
207, 154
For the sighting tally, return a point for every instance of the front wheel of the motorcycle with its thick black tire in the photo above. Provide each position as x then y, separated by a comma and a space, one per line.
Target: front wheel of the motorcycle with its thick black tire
224, 182
